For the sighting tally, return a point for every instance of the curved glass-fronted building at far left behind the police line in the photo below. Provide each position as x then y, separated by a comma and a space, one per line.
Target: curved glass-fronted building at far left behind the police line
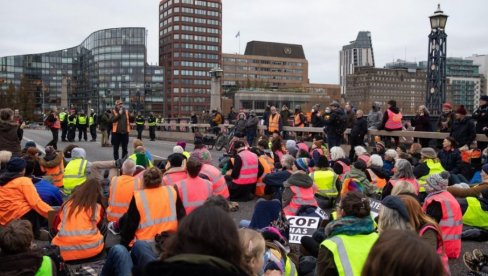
108, 65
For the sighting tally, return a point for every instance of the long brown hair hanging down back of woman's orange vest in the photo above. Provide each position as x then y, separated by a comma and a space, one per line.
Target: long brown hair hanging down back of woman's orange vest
86, 197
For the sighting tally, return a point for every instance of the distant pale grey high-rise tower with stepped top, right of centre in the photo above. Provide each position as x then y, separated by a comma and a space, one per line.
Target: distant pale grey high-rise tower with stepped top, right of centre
358, 53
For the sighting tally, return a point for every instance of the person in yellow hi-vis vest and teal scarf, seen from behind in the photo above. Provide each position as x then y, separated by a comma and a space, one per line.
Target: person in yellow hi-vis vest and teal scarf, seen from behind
349, 238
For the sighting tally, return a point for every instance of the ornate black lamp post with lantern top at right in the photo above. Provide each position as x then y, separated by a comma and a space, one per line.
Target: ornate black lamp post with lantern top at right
435, 95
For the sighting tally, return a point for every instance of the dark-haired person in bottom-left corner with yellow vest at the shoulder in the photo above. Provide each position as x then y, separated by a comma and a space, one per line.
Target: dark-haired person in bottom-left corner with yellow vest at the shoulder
18, 257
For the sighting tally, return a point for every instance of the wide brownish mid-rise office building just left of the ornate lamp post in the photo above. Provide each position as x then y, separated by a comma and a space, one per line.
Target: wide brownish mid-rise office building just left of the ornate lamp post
368, 85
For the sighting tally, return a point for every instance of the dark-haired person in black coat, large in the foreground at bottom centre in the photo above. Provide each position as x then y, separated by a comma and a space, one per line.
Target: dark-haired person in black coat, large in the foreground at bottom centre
200, 248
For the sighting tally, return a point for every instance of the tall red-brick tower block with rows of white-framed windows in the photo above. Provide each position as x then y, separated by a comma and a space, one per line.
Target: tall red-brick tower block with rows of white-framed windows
190, 45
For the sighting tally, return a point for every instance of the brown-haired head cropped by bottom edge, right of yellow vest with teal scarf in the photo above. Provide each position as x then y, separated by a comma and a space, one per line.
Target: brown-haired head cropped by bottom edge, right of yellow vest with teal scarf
402, 253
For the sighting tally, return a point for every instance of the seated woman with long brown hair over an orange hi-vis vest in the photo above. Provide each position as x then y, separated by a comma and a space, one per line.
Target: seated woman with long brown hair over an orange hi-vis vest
81, 225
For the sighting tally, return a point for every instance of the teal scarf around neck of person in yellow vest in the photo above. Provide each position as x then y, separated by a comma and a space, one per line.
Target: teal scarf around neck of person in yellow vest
350, 226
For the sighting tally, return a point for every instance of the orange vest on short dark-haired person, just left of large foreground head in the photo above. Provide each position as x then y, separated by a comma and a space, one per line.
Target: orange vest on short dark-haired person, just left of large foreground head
157, 209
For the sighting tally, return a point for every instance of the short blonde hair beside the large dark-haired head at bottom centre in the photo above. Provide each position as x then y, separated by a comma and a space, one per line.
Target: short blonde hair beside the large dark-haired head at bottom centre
252, 244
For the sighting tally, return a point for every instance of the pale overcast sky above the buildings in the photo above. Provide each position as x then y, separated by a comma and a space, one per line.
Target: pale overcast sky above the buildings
399, 29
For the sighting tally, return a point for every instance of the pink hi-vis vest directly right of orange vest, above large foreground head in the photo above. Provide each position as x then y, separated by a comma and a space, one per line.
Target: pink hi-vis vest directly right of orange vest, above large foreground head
193, 192
